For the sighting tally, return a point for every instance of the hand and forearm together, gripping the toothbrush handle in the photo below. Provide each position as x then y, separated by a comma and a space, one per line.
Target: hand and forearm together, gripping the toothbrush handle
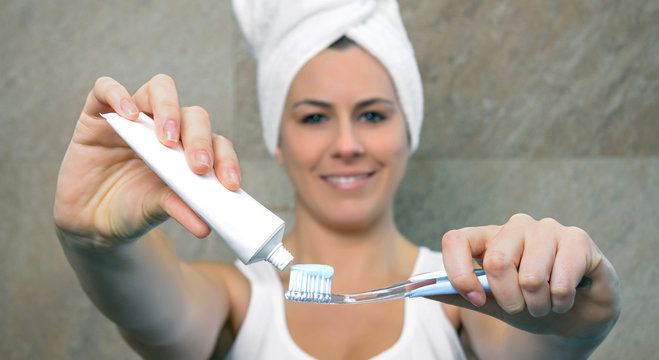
534, 309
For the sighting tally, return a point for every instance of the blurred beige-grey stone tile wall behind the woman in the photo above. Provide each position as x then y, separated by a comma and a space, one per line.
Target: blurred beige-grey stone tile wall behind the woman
545, 107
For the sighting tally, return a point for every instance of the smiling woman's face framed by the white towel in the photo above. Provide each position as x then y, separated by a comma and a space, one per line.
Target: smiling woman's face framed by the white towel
343, 138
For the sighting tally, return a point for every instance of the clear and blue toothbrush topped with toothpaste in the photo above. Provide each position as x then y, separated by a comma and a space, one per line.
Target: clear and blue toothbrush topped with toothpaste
312, 283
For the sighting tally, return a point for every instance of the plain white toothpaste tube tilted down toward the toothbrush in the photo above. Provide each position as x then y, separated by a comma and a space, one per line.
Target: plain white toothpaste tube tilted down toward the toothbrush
252, 232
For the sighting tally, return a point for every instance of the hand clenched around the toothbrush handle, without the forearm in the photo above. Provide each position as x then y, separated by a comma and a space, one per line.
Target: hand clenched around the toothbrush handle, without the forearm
533, 268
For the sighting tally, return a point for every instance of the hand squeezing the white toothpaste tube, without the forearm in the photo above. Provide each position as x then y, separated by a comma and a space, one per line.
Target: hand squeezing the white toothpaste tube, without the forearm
105, 192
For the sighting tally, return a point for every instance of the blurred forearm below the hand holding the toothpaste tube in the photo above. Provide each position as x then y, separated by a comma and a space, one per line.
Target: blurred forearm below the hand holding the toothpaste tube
163, 308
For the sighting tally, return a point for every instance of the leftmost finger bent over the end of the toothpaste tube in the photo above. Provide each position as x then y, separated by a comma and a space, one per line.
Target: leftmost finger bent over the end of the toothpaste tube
109, 95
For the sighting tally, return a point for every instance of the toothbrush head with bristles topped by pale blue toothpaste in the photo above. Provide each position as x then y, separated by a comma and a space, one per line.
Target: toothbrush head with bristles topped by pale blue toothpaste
310, 283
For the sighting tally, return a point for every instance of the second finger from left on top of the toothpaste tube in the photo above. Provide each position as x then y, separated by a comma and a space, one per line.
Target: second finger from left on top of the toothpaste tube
160, 98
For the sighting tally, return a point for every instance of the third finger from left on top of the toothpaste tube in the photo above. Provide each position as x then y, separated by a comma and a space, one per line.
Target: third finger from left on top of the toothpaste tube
196, 136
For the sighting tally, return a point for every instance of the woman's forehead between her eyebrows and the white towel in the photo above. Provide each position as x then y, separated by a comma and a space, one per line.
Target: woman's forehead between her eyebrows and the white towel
342, 73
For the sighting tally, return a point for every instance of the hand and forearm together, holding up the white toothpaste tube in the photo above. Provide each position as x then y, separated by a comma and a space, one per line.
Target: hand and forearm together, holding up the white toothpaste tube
107, 198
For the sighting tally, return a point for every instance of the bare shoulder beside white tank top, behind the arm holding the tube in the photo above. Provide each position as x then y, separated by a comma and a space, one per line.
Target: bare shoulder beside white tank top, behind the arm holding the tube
231, 282
